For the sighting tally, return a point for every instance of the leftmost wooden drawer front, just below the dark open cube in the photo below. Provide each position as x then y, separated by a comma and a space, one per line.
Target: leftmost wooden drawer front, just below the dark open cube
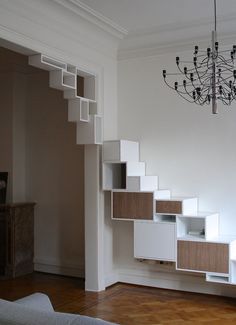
132, 205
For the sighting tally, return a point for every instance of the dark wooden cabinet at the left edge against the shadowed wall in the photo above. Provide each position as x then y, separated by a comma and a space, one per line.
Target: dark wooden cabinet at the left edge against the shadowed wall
16, 239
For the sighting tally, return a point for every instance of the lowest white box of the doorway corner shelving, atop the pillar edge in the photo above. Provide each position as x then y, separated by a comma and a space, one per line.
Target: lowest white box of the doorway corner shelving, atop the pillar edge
91, 132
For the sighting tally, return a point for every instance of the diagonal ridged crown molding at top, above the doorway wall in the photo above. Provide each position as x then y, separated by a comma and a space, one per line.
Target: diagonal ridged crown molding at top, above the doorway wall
94, 17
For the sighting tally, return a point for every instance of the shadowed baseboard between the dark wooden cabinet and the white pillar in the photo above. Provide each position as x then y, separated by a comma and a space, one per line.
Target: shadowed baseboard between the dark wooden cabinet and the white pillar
55, 267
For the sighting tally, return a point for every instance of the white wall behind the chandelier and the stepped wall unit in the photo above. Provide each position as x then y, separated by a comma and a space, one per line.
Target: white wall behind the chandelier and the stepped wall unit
191, 150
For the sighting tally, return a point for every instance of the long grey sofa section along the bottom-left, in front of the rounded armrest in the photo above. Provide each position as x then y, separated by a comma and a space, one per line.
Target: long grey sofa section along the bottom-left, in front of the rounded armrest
12, 313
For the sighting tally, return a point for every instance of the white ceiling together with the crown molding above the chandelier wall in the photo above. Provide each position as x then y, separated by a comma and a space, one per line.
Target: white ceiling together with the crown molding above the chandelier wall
149, 25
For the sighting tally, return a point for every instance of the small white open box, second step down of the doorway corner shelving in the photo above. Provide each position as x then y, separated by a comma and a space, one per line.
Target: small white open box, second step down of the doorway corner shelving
62, 79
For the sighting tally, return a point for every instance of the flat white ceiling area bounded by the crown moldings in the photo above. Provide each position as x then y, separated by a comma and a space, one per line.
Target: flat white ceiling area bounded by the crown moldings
140, 15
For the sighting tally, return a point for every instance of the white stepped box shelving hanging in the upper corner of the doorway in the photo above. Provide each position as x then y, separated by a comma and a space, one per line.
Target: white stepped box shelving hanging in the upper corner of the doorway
79, 89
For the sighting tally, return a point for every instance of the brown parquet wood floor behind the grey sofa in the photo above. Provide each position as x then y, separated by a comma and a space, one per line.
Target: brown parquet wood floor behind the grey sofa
125, 304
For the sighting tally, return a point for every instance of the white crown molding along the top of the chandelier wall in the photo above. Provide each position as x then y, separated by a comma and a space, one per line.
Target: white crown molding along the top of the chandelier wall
176, 37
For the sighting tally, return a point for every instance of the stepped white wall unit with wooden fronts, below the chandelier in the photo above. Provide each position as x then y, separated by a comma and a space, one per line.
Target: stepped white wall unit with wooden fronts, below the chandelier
166, 228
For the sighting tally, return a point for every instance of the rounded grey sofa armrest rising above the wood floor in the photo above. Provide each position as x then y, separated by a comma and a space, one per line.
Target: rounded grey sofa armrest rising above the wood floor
38, 301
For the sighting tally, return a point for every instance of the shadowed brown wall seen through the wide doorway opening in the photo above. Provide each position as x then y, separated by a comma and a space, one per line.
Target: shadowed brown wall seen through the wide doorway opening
45, 163
